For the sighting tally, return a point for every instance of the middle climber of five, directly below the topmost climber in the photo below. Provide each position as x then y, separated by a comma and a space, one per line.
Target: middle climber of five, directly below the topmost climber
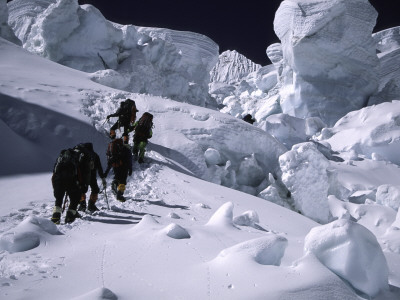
119, 157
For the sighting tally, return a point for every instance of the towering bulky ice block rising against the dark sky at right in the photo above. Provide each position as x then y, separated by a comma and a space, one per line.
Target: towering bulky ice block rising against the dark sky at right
329, 56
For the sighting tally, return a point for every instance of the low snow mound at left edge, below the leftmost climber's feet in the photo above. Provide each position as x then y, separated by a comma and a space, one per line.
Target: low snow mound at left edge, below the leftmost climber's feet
28, 235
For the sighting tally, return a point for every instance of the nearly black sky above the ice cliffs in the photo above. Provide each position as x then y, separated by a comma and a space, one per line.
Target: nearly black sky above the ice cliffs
244, 26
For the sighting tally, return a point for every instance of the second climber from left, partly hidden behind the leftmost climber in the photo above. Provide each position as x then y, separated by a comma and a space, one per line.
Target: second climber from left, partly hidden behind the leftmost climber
95, 168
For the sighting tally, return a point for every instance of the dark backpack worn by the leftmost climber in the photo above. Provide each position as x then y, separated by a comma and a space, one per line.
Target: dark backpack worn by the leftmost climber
66, 166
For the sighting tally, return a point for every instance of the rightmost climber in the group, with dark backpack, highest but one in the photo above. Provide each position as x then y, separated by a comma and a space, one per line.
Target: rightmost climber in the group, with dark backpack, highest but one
143, 131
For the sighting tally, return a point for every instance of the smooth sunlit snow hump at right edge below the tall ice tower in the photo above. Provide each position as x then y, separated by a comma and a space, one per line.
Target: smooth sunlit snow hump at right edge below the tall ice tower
373, 131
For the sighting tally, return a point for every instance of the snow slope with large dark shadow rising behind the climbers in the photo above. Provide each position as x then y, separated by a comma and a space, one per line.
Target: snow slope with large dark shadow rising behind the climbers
61, 112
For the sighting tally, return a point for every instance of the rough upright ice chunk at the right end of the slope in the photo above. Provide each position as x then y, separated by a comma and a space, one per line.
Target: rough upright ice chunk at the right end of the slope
306, 175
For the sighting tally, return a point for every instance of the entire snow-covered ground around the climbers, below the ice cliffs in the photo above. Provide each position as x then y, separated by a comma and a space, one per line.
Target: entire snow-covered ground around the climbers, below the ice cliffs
192, 226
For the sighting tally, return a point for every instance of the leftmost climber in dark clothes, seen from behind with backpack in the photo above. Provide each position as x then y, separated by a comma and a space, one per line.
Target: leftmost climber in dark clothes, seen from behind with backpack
71, 175
